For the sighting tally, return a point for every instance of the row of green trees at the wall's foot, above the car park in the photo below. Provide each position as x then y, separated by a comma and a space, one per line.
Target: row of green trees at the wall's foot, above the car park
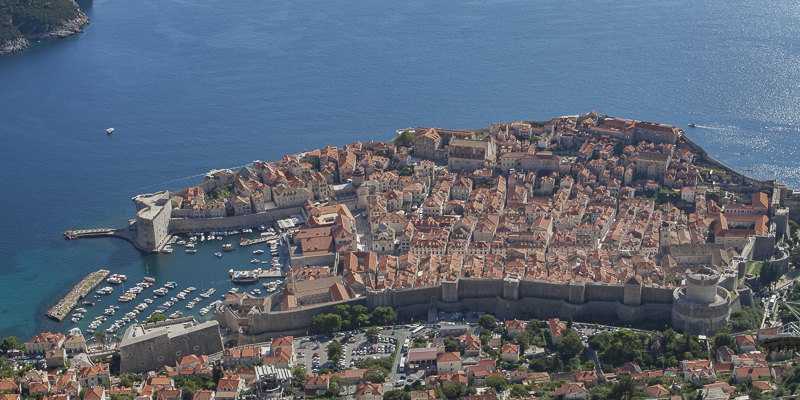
345, 318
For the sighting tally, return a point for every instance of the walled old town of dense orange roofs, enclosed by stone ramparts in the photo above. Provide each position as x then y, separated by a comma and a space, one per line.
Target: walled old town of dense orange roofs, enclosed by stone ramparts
580, 215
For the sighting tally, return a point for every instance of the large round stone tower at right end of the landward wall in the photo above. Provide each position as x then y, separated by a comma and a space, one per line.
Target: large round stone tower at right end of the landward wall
701, 307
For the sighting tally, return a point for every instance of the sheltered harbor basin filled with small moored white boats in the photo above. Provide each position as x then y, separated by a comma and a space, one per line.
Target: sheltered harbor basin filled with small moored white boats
128, 295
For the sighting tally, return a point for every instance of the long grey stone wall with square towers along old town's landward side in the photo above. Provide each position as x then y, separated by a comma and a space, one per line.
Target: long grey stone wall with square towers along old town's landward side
508, 298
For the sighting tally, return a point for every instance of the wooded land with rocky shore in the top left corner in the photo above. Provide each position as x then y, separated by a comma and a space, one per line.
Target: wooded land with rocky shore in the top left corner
24, 20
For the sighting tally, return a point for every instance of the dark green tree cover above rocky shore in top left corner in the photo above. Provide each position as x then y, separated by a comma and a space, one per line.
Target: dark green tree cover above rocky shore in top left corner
20, 18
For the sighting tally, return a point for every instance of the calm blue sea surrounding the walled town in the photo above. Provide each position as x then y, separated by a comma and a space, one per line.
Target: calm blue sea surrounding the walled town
194, 85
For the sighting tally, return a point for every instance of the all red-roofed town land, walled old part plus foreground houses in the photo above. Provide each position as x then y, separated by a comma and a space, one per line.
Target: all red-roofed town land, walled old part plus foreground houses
584, 255
